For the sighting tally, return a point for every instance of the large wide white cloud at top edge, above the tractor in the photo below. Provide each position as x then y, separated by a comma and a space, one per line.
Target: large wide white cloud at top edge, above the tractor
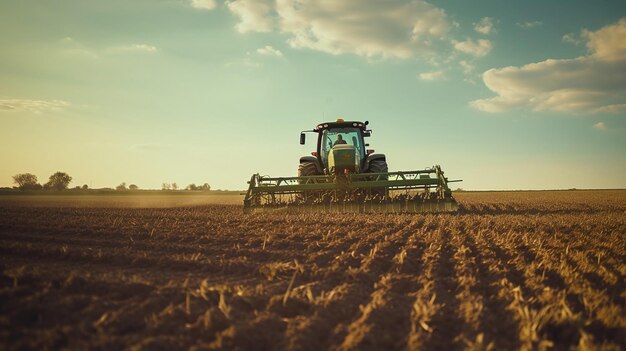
369, 28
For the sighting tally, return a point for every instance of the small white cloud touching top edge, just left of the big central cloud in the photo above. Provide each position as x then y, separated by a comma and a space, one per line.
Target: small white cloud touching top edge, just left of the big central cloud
254, 15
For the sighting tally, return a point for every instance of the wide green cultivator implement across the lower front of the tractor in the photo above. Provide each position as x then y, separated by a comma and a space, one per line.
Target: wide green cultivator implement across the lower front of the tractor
390, 192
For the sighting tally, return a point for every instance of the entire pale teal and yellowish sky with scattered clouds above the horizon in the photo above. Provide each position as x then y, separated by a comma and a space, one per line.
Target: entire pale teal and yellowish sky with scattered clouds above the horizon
504, 95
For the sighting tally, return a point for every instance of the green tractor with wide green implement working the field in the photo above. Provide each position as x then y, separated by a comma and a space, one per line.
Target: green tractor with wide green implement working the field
343, 175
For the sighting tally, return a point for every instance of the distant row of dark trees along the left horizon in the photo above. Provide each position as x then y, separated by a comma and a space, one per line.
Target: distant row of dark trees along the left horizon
61, 181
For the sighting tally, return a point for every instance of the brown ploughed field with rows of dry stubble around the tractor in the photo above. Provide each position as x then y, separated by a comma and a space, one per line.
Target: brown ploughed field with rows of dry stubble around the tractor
511, 270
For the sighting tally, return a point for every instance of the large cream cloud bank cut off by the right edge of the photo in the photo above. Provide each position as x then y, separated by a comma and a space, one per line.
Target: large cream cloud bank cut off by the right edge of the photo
591, 83
